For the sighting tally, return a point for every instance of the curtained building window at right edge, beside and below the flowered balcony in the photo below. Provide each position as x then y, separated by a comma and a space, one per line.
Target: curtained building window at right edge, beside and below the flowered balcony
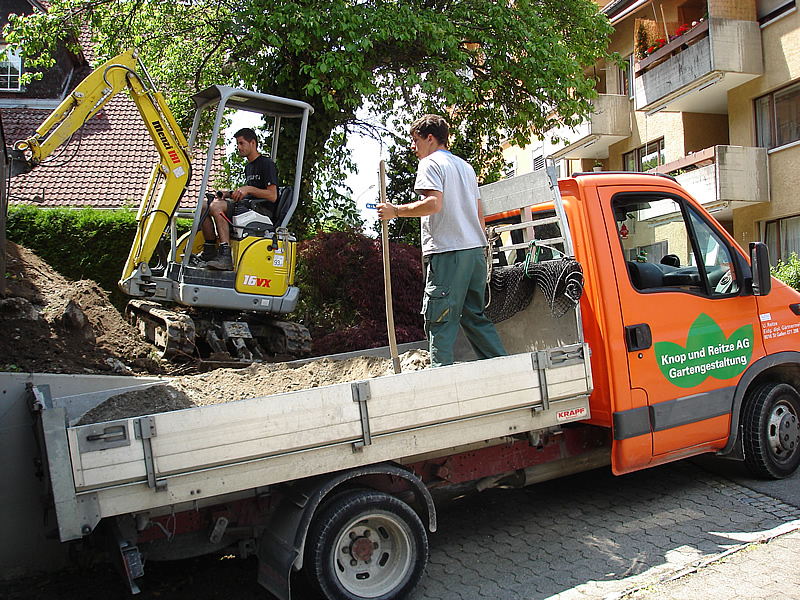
778, 117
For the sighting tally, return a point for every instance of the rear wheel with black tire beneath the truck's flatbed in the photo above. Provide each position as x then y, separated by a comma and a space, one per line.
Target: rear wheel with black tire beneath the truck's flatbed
366, 544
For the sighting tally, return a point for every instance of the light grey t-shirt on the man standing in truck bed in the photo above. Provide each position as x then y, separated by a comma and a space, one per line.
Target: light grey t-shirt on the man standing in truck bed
457, 226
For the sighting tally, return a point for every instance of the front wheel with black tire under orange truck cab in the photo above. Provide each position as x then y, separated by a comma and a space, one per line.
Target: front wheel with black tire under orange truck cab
771, 431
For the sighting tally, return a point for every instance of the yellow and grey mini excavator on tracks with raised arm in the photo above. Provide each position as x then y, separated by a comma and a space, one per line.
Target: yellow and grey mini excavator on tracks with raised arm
187, 310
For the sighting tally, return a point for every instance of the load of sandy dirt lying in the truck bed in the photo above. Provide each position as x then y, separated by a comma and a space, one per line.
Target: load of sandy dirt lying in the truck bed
228, 385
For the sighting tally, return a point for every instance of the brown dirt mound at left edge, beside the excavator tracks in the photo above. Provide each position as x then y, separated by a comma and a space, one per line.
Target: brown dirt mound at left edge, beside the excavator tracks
49, 324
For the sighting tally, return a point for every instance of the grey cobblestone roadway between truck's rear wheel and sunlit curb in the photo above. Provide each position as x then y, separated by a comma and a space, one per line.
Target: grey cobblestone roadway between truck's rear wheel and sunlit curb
592, 536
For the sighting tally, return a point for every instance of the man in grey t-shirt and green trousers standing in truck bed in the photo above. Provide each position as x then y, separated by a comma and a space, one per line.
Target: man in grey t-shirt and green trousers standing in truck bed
453, 243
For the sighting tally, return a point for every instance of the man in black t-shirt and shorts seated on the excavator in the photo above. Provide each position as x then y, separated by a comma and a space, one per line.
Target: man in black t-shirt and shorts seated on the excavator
261, 176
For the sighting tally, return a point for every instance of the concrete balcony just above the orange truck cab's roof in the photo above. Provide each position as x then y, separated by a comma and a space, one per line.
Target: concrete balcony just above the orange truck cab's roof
723, 178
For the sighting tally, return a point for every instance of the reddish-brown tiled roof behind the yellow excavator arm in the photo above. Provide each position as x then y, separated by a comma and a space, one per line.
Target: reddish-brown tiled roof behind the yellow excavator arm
107, 165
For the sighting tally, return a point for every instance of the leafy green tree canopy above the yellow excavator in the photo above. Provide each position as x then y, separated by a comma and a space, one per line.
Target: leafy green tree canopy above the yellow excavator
502, 66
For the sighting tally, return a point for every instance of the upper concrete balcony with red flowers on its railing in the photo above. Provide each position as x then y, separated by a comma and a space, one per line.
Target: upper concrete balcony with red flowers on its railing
694, 72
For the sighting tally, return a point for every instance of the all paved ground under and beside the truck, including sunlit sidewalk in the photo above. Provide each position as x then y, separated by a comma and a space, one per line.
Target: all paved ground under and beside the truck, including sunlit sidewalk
586, 537
